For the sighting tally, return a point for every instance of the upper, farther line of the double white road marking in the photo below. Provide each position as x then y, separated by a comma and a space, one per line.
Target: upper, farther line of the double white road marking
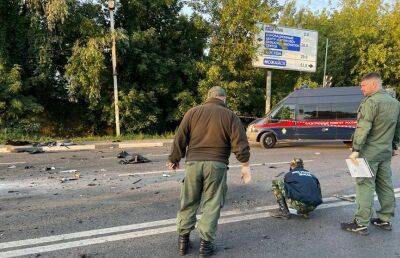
97, 232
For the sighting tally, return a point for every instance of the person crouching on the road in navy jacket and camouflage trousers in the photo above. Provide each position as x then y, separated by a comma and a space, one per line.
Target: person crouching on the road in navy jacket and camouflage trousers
299, 189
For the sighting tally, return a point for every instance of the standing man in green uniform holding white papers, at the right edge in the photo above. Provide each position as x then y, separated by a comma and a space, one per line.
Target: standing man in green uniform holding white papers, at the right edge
378, 130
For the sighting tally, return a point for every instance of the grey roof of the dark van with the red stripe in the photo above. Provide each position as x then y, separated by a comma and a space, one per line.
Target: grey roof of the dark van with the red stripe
325, 95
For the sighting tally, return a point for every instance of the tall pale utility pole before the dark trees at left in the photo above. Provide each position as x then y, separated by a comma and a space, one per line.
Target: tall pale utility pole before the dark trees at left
111, 7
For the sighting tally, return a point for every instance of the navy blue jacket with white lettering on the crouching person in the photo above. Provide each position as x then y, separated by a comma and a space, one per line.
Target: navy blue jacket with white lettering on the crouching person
303, 186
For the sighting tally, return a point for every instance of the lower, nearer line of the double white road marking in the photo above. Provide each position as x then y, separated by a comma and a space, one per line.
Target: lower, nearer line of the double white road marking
147, 232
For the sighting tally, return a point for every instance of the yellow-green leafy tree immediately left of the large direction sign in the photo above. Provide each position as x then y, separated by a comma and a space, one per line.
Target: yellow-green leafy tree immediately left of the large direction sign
231, 50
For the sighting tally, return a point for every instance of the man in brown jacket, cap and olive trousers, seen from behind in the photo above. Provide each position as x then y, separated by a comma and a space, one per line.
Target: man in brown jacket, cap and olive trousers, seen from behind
206, 136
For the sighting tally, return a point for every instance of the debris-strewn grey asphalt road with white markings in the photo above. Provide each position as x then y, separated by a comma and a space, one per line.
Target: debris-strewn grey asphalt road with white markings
115, 210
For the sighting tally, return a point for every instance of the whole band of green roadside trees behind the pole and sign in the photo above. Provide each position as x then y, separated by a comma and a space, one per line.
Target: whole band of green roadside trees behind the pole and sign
56, 76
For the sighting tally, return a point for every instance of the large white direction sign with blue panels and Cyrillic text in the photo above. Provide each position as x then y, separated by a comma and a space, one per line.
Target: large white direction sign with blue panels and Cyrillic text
286, 48
